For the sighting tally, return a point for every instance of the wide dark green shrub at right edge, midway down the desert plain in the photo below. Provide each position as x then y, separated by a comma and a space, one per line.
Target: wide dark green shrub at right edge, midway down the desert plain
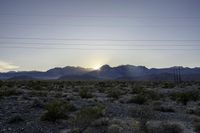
185, 97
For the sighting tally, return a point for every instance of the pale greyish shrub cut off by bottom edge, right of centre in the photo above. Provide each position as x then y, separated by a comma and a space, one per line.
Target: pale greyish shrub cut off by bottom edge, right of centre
166, 127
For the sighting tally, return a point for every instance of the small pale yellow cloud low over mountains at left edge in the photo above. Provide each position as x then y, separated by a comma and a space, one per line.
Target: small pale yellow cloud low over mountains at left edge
5, 66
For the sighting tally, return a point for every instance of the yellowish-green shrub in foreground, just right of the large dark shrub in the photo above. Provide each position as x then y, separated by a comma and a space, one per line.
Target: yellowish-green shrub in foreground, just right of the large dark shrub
86, 116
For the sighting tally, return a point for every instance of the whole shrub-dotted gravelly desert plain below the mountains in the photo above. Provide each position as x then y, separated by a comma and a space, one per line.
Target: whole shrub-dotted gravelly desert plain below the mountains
99, 107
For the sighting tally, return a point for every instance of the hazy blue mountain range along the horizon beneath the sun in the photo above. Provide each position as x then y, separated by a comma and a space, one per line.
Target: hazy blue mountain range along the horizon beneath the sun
123, 72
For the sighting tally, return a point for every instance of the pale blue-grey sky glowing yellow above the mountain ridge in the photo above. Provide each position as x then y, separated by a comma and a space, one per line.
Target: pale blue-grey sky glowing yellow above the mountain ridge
42, 34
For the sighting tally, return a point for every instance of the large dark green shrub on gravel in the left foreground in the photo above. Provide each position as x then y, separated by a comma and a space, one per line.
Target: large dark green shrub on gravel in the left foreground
57, 110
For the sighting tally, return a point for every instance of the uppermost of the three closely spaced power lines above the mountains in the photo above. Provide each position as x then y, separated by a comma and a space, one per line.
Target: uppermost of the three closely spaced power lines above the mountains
81, 39
